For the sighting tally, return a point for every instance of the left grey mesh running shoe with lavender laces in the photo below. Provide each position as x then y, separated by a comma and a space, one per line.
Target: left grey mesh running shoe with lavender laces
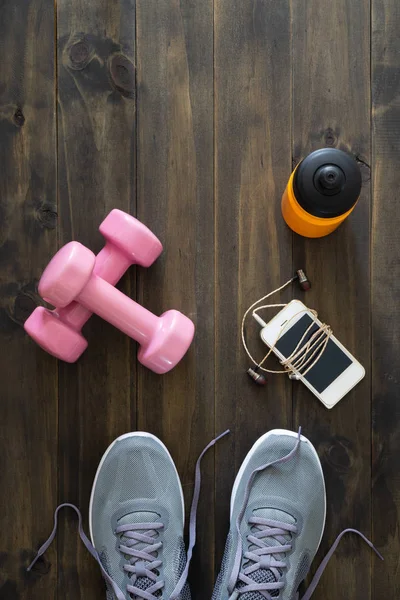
137, 516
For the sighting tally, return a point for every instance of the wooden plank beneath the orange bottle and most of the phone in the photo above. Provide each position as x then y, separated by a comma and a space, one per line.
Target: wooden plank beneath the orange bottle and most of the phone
331, 107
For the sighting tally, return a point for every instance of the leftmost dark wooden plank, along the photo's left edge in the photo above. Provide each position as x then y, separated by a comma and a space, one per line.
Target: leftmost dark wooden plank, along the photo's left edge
28, 430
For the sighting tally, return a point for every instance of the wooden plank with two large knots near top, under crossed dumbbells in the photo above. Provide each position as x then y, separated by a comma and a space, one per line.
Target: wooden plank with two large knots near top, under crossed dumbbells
96, 143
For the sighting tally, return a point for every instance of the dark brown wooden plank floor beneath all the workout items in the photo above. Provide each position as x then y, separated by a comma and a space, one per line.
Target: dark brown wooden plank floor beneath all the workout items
191, 114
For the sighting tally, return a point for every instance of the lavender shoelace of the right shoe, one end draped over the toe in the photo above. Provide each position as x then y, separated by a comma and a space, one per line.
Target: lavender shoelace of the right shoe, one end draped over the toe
265, 556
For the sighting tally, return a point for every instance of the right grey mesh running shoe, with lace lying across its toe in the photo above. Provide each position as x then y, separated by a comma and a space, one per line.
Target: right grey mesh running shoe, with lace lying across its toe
285, 509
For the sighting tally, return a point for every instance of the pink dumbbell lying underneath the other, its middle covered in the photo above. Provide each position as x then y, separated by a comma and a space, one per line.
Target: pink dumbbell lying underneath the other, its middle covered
128, 242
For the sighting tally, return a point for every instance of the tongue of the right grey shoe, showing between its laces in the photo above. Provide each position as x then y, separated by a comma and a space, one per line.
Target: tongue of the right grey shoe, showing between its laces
266, 575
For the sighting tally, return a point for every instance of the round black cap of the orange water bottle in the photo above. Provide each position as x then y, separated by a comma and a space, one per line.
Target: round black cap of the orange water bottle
327, 183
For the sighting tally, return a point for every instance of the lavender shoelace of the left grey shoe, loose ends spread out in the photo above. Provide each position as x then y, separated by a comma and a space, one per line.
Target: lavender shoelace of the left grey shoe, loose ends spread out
145, 565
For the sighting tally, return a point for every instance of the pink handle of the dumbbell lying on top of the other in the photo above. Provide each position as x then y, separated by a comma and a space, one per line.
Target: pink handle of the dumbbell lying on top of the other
113, 306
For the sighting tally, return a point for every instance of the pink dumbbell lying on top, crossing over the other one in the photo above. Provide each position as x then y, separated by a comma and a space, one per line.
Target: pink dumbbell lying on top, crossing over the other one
70, 277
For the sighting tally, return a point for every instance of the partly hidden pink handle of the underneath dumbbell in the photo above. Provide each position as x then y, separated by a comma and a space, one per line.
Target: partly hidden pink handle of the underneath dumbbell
111, 264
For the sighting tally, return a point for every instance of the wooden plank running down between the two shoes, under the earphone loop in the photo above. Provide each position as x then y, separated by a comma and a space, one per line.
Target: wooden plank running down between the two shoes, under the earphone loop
253, 245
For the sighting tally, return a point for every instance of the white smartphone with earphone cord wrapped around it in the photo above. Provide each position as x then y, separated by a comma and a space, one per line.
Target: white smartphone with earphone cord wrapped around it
334, 374
